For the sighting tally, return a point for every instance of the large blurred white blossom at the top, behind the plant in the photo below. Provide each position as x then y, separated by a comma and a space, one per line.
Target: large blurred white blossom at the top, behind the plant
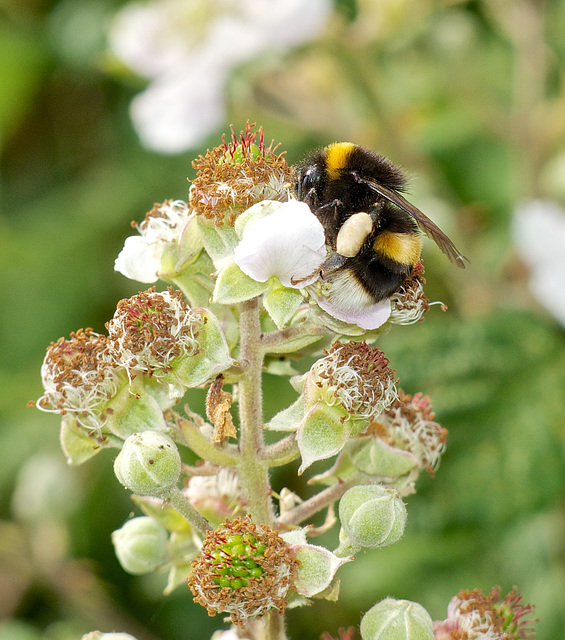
187, 49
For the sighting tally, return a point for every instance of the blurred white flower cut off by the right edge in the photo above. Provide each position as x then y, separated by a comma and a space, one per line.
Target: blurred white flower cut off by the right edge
539, 237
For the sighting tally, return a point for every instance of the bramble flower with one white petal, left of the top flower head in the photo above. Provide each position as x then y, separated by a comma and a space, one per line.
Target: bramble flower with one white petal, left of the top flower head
141, 257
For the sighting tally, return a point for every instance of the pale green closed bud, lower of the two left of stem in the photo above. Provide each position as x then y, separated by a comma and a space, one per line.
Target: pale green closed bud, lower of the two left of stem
141, 545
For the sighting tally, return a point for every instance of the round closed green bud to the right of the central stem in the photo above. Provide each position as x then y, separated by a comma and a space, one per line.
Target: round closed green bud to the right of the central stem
372, 516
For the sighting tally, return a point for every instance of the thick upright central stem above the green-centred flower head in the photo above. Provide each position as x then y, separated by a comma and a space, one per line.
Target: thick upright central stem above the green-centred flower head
253, 473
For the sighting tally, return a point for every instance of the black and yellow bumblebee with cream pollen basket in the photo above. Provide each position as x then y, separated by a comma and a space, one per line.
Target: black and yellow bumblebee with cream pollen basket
372, 230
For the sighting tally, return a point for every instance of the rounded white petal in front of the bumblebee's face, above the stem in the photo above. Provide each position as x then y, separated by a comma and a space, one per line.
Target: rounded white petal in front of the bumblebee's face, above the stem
287, 243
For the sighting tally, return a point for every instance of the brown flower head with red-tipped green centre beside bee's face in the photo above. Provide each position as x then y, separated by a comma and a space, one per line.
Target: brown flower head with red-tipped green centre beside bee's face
238, 174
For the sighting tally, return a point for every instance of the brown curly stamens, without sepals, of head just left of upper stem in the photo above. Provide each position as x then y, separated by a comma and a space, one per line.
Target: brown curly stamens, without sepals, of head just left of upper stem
151, 329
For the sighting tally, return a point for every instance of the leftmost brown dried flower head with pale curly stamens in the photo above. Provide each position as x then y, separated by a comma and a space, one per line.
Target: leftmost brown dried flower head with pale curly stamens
79, 377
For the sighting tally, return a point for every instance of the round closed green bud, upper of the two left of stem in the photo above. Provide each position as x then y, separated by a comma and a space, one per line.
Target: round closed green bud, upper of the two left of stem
148, 464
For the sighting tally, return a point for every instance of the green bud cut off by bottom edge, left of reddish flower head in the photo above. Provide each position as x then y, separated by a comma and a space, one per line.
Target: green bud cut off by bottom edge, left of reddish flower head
397, 620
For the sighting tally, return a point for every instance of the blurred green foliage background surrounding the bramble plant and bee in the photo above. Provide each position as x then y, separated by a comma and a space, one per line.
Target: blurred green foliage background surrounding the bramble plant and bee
469, 97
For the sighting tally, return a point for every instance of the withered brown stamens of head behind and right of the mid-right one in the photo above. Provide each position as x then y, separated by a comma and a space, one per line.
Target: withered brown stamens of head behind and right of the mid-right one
409, 425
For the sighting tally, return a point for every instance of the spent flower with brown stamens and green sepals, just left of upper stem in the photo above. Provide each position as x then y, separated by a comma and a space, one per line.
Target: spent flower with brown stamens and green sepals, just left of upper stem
159, 335
